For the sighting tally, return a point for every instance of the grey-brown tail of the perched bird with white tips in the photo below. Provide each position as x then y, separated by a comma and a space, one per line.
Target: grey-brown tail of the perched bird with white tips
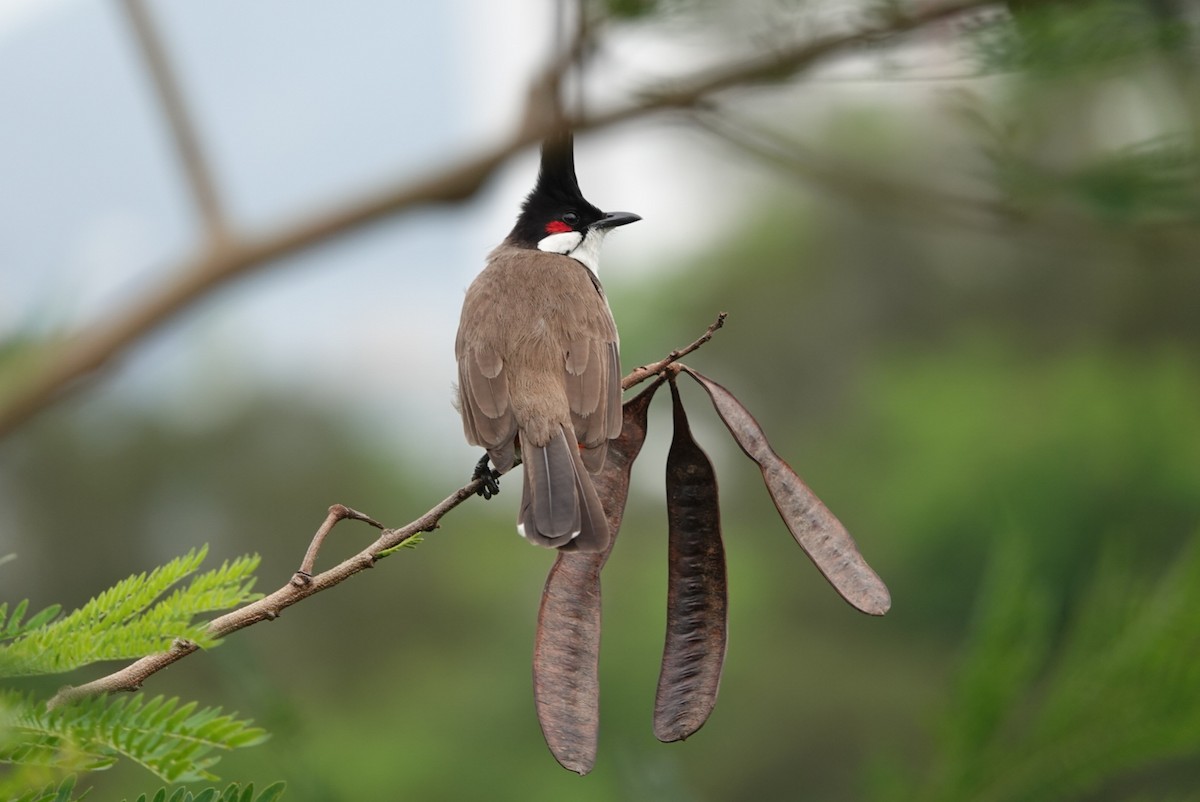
560, 506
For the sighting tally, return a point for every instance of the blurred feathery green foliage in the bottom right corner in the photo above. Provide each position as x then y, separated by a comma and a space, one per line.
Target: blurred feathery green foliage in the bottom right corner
1042, 713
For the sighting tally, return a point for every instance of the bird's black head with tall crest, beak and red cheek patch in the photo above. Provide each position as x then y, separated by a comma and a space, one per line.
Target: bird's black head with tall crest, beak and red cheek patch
556, 205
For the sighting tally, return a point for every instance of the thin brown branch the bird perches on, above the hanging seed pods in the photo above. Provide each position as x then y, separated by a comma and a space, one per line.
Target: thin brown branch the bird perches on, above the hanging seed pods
304, 584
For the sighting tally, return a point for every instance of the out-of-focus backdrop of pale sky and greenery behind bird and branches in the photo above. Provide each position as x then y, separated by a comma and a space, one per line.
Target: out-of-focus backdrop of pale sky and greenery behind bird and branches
962, 276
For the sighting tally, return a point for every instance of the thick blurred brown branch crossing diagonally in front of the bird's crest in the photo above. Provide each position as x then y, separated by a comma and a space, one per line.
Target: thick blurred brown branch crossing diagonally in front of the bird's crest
93, 349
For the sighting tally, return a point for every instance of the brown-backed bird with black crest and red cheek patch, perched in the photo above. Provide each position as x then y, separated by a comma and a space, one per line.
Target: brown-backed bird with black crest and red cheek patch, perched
539, 358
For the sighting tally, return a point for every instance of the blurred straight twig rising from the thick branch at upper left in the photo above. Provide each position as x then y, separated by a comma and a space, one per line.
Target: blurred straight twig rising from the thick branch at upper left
183, 131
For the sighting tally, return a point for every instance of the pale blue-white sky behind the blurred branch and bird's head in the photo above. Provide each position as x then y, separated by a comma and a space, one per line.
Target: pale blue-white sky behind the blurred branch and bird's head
297, 106
